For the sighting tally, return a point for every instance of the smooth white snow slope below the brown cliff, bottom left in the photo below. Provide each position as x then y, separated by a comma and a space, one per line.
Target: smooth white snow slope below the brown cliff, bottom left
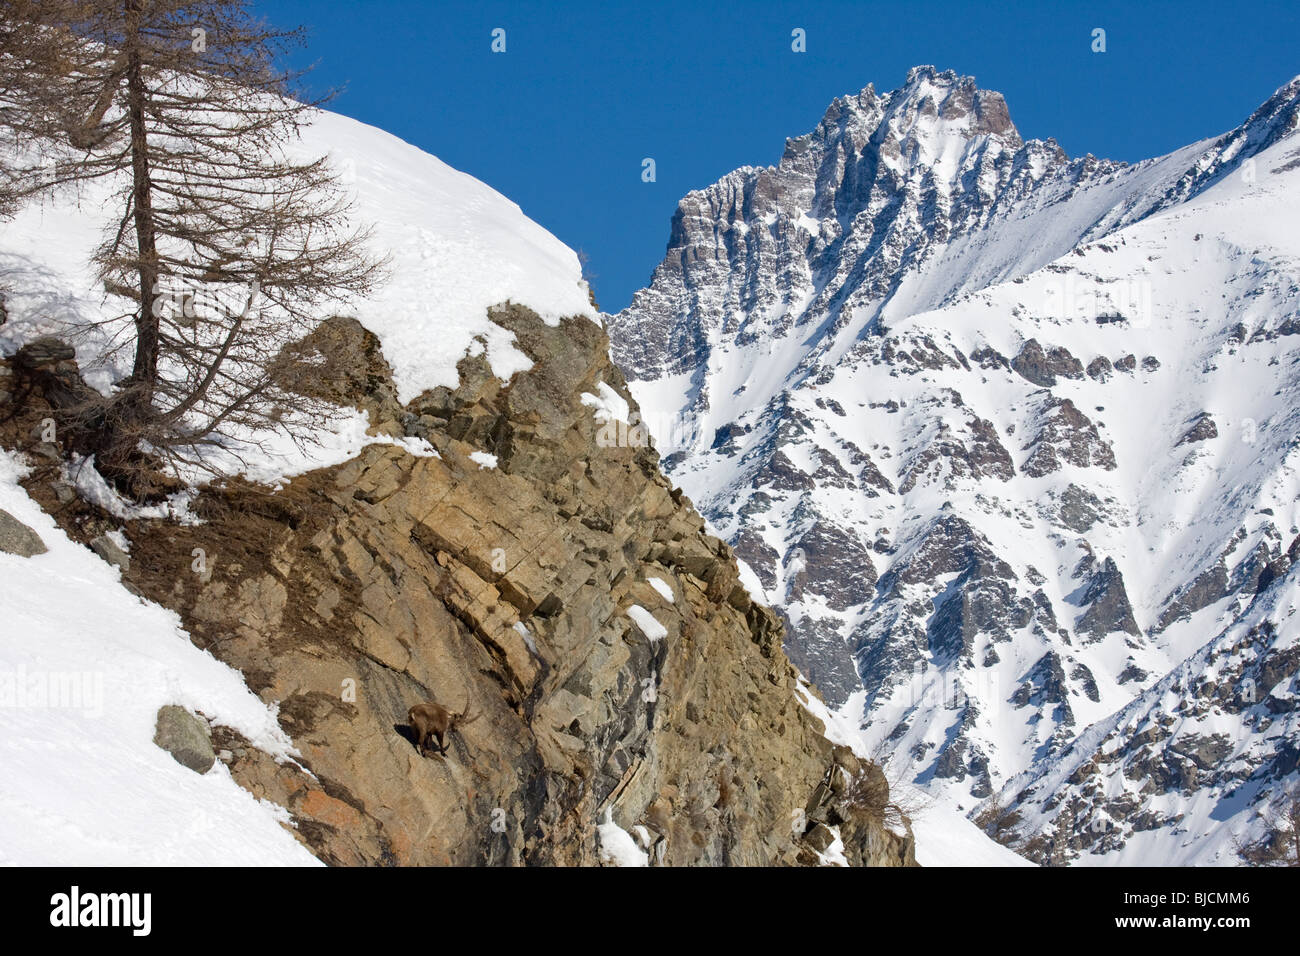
84, 785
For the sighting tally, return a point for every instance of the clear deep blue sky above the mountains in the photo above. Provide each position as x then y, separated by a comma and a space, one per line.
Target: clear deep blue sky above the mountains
562, 122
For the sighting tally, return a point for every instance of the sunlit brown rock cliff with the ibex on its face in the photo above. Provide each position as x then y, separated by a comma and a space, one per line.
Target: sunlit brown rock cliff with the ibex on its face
353, 592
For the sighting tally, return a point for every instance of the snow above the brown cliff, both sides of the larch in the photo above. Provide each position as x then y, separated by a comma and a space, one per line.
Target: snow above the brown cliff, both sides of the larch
454, 249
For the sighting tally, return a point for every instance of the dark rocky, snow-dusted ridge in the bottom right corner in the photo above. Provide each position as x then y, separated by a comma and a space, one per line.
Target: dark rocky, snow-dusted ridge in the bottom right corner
1223, 725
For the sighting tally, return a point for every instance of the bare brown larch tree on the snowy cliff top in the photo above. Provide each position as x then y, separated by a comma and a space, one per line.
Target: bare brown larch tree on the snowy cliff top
227, 240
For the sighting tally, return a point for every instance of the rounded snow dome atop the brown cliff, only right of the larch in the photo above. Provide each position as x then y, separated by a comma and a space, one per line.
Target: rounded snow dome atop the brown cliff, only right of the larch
457, 248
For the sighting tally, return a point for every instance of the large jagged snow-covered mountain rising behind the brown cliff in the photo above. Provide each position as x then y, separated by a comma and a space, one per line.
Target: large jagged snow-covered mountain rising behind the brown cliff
1008, 436
